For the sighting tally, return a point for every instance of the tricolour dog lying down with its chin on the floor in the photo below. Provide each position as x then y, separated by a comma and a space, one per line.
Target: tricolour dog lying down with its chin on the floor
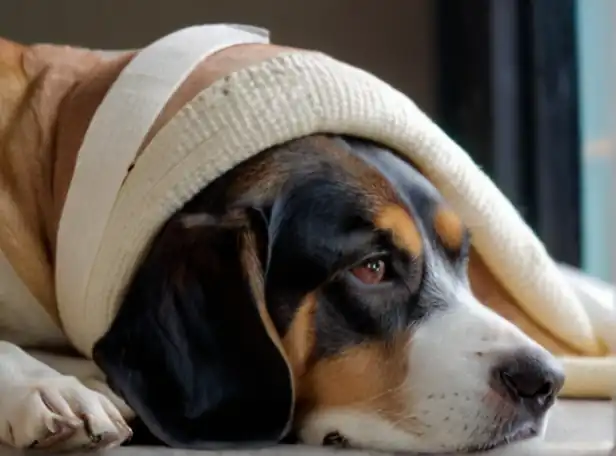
335, 244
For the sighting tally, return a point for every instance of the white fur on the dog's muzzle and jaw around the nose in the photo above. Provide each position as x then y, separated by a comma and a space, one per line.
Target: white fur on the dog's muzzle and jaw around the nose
449, 401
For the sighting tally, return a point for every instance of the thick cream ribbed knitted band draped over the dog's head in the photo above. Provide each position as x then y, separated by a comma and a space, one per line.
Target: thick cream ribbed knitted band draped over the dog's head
292, 95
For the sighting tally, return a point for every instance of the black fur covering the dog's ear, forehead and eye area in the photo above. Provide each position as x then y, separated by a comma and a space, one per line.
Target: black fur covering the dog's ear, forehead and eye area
188, 350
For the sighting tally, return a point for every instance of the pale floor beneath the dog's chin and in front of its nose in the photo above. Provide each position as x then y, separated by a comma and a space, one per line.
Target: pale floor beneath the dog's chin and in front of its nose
583, 428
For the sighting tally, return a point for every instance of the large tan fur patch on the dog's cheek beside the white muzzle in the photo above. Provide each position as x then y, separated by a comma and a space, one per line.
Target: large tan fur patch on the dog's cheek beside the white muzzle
369, 377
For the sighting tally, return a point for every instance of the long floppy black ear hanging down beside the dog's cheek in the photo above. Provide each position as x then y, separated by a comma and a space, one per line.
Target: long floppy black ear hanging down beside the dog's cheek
192, 349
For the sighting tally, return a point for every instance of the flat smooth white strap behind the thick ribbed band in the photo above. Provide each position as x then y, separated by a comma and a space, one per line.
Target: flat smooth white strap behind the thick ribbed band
114, 137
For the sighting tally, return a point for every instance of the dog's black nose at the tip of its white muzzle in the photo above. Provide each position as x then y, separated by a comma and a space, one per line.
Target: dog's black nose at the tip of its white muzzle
533, 381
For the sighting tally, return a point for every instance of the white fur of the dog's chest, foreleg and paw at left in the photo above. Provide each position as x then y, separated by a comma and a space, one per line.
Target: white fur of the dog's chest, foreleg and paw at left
33, 383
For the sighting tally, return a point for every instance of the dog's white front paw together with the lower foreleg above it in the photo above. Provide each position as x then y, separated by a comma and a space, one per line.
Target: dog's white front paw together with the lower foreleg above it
40, 404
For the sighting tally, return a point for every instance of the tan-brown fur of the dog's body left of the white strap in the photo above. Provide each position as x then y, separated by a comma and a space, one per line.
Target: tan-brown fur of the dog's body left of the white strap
40, 133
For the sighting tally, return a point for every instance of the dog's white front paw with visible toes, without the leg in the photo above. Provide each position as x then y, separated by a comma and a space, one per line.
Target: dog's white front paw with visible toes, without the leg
59, 414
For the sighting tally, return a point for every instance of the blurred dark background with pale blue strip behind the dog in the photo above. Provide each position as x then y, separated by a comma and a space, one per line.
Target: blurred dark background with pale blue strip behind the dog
526, 86
